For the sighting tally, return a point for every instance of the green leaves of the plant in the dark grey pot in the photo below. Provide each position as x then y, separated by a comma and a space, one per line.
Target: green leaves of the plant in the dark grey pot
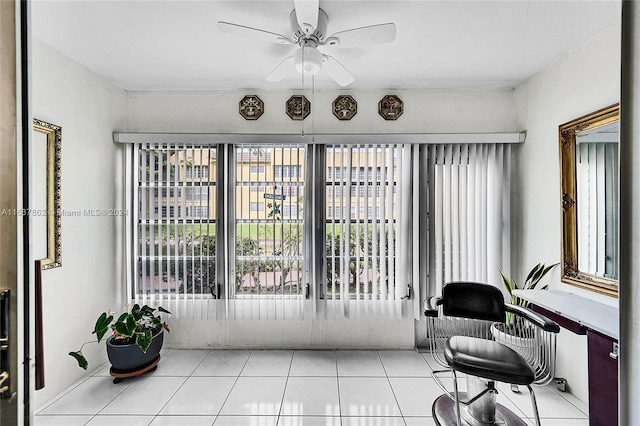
137, 326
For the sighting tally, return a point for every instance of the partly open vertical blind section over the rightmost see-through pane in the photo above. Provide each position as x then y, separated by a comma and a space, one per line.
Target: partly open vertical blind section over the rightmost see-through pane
368, 229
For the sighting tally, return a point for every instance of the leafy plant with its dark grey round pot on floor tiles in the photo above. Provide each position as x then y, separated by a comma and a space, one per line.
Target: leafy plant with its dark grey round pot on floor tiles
136, 340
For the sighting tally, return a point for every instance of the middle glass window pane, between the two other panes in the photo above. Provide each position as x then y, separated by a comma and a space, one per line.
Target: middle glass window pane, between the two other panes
269, 225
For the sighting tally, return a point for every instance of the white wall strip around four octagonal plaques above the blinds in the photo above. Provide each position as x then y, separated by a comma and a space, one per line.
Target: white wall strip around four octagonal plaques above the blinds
430, 111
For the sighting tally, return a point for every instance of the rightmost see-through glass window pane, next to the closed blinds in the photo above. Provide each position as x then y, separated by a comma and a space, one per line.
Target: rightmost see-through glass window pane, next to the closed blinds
360, 200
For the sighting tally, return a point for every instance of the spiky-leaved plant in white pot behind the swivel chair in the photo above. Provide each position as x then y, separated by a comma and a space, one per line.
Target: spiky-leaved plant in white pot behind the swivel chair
513, 326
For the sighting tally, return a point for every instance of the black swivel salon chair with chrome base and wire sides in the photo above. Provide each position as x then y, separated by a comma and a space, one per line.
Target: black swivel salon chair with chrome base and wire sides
473, 331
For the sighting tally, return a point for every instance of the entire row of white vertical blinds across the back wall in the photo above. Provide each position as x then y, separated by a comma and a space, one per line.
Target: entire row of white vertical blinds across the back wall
286, 231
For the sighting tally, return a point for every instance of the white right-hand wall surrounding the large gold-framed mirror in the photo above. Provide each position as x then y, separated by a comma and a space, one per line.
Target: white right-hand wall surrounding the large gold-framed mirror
585, 81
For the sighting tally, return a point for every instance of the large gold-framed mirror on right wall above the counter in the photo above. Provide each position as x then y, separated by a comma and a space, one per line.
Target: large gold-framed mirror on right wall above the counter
590, 194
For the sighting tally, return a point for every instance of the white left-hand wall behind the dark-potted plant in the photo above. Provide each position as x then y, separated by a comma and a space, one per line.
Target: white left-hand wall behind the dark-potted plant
89, 282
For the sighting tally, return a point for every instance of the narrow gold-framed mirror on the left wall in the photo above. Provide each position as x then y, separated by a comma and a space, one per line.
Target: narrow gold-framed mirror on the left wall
45, 178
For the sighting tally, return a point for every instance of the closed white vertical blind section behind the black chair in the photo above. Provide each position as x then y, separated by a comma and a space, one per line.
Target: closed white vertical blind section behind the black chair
470, 213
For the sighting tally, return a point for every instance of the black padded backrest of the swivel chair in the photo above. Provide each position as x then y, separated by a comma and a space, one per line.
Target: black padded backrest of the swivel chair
473, 300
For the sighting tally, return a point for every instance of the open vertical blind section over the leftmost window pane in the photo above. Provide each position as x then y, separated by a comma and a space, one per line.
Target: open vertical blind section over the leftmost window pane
176, 227
